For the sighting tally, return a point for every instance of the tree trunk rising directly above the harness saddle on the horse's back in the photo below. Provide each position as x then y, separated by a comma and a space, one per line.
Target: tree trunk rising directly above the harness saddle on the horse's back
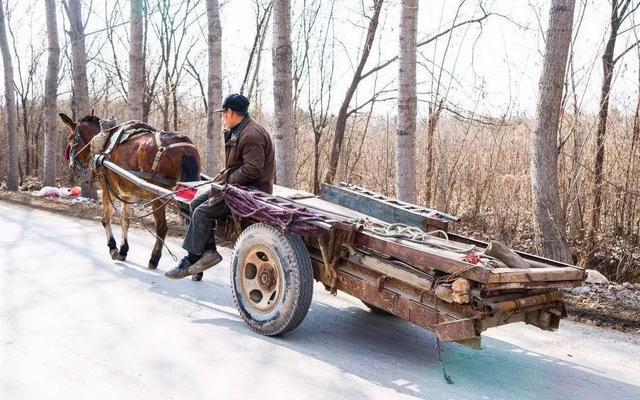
136, 62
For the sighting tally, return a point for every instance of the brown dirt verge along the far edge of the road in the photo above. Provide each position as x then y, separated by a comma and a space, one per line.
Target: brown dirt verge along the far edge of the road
607, 304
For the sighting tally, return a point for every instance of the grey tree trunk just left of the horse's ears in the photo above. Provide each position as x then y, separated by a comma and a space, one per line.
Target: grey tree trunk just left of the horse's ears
51, 96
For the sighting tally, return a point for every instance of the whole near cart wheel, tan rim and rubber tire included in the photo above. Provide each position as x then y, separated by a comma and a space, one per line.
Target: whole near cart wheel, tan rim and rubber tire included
272, 279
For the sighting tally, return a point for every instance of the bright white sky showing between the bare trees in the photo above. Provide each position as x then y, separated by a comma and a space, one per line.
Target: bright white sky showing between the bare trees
491, 68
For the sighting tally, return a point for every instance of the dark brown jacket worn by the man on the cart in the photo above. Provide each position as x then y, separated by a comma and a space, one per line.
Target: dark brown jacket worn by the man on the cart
249, 157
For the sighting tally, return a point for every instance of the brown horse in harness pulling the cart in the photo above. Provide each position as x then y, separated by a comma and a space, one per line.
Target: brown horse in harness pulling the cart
178, 160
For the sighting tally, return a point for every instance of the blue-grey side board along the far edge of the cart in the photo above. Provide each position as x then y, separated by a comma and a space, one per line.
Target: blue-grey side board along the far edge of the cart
380, 208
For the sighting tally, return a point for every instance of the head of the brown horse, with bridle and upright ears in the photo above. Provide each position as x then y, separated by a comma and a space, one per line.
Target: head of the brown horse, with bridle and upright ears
79, 135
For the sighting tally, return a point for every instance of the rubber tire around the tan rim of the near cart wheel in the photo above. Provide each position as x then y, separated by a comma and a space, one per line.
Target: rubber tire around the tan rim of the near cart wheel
296, 272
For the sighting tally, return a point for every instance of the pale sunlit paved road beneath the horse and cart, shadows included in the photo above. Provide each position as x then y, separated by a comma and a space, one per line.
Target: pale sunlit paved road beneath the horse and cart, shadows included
76, 325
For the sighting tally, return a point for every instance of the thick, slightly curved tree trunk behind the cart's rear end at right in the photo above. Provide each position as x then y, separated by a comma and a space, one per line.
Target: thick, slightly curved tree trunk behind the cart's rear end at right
544, 153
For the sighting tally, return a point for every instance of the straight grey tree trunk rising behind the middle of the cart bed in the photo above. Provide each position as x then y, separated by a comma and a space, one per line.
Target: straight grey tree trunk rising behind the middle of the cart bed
407, 104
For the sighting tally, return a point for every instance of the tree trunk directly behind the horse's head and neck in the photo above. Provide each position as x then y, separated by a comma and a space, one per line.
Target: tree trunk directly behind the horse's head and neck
79, 77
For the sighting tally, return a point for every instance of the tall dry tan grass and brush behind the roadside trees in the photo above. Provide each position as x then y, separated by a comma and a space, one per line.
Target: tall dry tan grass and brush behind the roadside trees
488, 181
